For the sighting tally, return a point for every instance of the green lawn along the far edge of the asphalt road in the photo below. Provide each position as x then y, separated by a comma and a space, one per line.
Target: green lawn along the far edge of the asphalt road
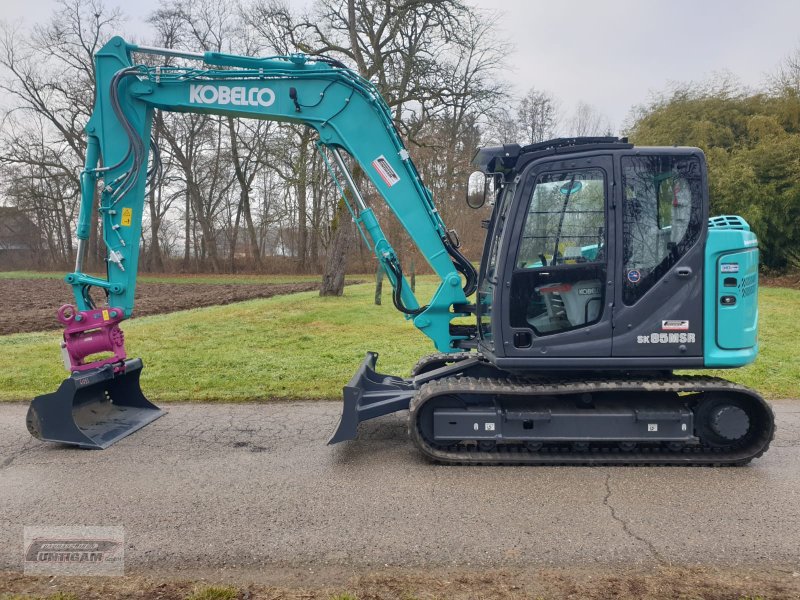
304, 346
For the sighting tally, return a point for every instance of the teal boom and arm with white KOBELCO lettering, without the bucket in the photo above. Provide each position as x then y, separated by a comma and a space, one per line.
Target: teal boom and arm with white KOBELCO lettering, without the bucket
345, 110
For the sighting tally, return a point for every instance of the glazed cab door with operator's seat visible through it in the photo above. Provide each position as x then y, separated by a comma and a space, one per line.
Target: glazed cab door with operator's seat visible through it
557, 292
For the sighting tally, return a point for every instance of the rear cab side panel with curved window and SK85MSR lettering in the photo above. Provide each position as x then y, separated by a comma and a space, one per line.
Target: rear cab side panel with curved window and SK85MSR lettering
663, 219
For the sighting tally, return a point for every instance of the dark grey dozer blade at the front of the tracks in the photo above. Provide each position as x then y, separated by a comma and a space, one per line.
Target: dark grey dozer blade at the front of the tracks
368, 395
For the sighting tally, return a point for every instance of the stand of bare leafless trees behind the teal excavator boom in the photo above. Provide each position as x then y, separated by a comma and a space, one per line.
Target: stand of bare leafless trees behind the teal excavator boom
257, 186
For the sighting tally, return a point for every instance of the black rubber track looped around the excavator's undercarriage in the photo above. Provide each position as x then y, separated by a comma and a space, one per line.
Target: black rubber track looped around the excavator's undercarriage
517, 454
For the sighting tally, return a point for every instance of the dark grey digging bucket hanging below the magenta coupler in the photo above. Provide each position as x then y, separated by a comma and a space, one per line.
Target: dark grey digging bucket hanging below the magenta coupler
94, 408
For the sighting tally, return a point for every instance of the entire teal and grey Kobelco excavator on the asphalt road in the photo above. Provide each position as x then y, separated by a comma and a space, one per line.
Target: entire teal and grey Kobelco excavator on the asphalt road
602, 274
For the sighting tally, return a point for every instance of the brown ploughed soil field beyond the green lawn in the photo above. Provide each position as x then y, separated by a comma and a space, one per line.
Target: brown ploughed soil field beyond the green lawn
31, 304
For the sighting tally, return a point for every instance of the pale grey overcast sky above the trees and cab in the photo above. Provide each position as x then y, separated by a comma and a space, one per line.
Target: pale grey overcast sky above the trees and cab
611, 54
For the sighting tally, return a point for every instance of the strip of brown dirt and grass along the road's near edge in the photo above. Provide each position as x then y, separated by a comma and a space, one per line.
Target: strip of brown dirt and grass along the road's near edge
687, 583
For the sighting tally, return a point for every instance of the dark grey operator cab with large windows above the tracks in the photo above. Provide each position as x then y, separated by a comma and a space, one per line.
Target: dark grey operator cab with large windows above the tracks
593, 247
